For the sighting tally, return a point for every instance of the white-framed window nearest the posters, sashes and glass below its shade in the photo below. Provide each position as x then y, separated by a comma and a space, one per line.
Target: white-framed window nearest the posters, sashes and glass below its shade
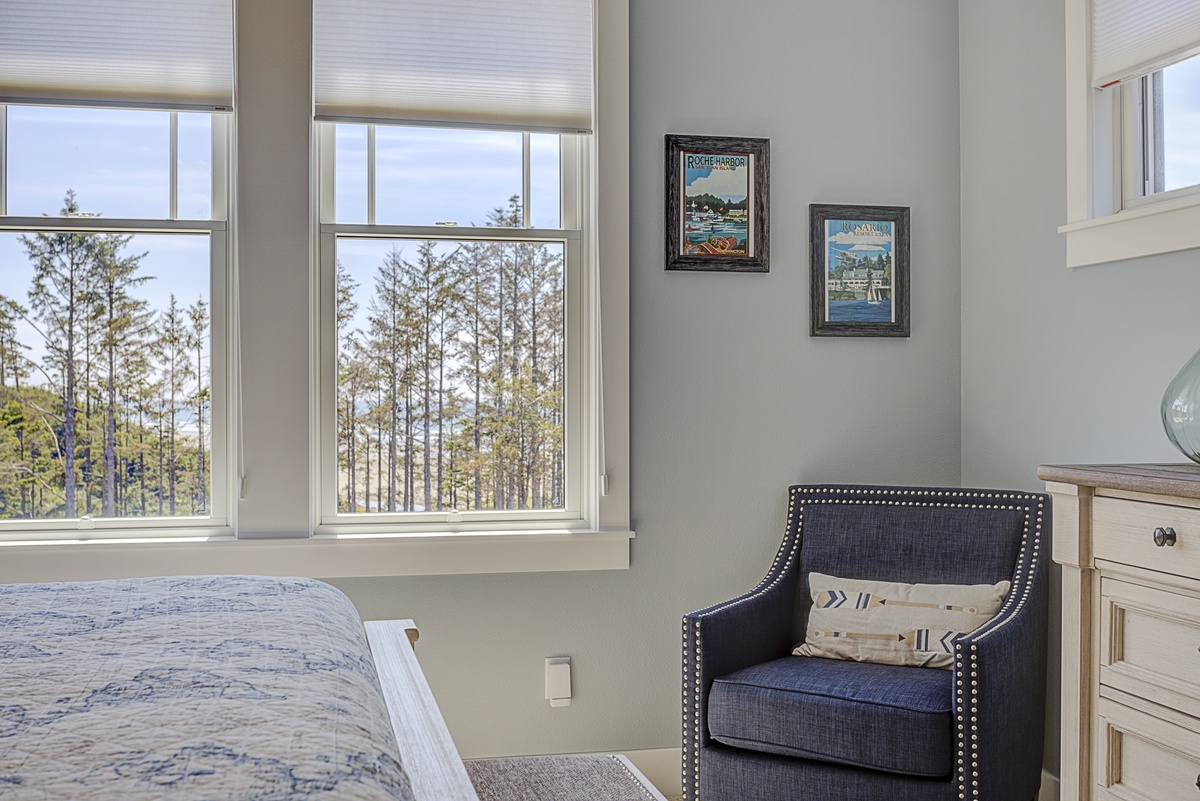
506, 302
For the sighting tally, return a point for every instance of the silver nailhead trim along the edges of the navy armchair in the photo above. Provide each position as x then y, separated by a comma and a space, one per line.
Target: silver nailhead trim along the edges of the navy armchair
779, 569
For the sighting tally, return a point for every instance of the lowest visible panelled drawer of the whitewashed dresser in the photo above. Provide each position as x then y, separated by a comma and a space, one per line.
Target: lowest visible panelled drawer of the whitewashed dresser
1142, 758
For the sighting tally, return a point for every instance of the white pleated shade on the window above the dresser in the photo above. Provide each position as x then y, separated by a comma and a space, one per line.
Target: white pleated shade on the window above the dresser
1135, 38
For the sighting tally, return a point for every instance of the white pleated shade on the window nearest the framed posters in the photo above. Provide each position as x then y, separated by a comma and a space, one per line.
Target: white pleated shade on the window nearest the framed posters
496, 64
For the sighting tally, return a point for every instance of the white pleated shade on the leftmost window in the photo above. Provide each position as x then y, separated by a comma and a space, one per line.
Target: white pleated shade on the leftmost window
142, 53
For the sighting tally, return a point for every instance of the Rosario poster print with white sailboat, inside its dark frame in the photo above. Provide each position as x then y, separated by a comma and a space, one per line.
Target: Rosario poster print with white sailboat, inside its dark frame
860, 267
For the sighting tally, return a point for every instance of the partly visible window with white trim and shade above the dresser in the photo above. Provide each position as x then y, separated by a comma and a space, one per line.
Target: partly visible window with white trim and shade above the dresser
1133, 82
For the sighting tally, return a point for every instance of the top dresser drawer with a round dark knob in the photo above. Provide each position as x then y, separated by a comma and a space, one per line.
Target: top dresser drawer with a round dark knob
1124, 532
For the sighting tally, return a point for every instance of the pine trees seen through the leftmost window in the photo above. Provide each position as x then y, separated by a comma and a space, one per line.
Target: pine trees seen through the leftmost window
109, 413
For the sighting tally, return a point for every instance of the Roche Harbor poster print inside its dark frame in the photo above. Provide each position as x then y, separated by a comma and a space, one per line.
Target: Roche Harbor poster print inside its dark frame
718, 216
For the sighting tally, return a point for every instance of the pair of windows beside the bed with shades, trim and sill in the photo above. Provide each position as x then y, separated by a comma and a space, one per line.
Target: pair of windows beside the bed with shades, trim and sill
257, 215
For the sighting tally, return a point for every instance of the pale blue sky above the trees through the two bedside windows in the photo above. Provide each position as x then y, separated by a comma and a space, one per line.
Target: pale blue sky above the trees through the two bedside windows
118, 165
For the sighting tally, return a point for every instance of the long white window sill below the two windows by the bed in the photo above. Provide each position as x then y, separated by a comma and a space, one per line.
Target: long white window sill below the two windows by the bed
321, 557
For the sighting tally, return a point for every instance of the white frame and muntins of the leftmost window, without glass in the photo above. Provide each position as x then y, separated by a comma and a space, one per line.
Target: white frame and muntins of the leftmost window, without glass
218, 523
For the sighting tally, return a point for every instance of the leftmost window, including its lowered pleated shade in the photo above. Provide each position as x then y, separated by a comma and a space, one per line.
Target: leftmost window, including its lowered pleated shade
113, 201
